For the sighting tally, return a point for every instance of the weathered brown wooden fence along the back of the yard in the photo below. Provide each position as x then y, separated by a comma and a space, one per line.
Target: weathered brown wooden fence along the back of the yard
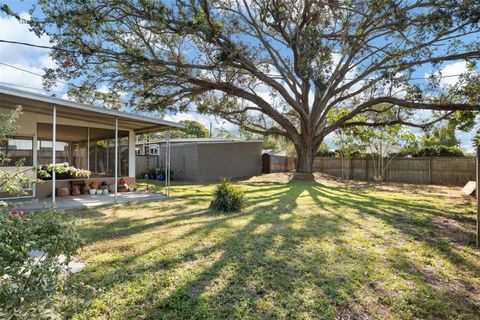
427, 170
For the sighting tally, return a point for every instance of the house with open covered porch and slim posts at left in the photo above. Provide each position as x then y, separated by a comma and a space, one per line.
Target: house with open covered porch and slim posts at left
53, 130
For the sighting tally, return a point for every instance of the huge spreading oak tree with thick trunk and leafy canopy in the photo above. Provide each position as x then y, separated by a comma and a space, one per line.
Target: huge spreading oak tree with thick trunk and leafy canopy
301, 69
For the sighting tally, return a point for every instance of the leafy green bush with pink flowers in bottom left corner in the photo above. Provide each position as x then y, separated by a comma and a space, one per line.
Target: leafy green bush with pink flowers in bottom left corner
30, 284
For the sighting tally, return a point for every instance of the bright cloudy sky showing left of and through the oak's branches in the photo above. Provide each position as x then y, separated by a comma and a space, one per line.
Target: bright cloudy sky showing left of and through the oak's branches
34, 59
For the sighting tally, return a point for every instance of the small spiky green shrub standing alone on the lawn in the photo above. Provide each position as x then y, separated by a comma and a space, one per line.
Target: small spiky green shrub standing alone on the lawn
228, 197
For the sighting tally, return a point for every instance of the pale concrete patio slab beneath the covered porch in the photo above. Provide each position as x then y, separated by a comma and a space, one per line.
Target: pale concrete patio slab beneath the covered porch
89, 201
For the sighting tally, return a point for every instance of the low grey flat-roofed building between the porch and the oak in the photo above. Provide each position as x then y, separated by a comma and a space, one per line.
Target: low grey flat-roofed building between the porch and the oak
202, 159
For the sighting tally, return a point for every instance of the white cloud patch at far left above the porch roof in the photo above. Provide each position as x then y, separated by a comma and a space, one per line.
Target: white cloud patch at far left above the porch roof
23, 57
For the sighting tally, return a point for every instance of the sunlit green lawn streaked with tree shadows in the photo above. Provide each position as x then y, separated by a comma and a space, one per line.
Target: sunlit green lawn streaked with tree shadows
301, 250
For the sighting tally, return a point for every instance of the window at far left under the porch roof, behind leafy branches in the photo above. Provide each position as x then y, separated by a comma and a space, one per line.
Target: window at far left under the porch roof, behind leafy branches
16, 149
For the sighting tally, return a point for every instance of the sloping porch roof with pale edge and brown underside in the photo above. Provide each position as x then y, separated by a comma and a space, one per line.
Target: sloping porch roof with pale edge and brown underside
42, 104
